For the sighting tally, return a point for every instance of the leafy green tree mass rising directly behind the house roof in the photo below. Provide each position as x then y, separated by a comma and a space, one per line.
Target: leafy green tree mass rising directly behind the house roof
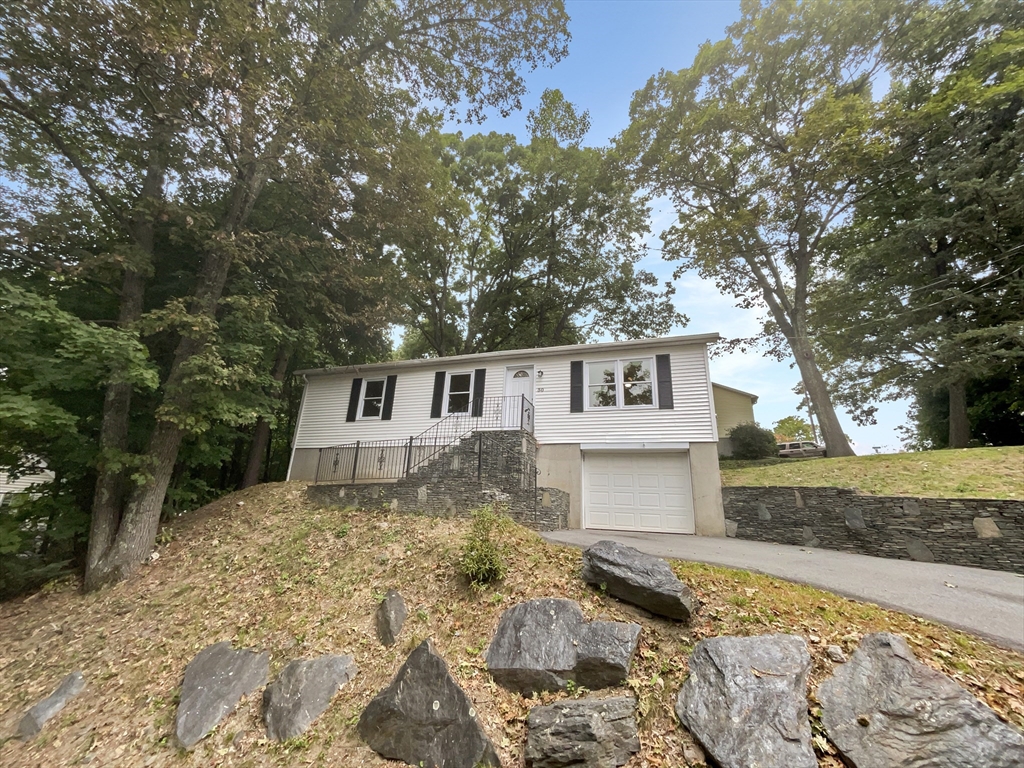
529, 245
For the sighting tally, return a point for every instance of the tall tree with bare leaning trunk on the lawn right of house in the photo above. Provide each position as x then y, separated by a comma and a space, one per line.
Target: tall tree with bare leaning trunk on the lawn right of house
760, 145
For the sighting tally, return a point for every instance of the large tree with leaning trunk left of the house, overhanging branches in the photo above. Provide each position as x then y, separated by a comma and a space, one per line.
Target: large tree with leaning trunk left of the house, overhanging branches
176, 120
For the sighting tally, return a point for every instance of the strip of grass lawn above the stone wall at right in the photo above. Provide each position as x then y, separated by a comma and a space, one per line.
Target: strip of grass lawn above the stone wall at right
965, 474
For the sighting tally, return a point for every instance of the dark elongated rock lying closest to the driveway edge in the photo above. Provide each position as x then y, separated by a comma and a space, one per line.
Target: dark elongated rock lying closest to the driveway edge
638, 579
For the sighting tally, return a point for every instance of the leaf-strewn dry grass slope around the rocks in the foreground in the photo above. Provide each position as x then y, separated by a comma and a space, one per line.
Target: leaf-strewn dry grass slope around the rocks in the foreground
263, 569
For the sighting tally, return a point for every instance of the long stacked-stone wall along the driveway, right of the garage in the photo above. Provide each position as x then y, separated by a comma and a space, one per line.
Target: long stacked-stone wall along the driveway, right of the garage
980, 533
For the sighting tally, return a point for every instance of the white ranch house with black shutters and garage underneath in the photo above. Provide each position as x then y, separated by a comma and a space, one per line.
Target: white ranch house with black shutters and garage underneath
624, 432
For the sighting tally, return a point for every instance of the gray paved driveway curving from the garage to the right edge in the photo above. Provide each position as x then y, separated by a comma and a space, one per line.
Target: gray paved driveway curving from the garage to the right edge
988, 604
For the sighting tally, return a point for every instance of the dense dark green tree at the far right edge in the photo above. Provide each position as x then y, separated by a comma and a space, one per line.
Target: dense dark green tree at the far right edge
930, 288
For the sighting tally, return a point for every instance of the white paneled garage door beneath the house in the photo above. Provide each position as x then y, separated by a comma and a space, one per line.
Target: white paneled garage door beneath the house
638, 492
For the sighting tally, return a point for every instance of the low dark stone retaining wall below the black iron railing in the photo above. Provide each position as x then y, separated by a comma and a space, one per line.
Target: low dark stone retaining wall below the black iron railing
451, 497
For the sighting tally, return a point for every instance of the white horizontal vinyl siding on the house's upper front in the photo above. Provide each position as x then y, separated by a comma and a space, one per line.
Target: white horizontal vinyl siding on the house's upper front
322, 422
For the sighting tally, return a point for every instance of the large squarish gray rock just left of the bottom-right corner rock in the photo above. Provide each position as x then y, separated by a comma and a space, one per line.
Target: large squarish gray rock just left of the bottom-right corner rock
746, 702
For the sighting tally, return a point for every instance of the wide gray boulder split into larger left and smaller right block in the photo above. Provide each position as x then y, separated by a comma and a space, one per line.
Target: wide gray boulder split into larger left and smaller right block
543, 645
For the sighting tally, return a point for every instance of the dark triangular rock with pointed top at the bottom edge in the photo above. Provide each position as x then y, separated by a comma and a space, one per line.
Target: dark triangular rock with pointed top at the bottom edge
423, 718
